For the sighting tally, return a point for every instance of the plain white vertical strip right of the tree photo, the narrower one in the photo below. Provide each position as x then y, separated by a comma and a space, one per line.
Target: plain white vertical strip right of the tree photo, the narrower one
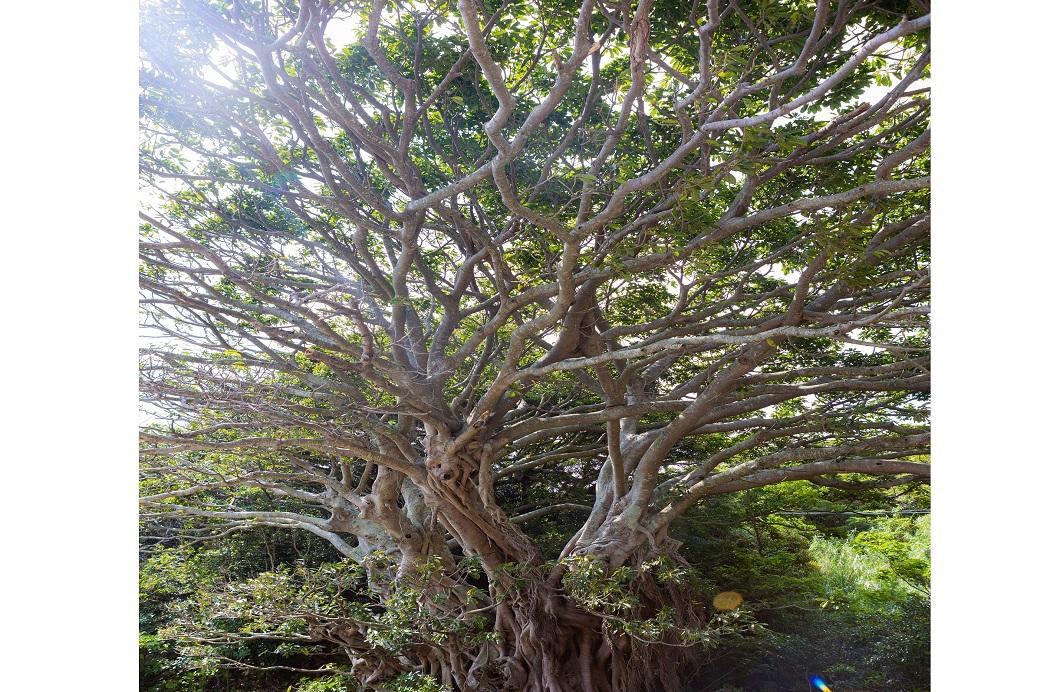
986, 491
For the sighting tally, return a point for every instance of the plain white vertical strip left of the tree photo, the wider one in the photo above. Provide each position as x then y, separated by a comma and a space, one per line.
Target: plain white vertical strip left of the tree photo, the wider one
68, 349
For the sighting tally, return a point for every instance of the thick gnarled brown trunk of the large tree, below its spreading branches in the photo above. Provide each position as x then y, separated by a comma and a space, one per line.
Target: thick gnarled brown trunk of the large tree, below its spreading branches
543, 642
